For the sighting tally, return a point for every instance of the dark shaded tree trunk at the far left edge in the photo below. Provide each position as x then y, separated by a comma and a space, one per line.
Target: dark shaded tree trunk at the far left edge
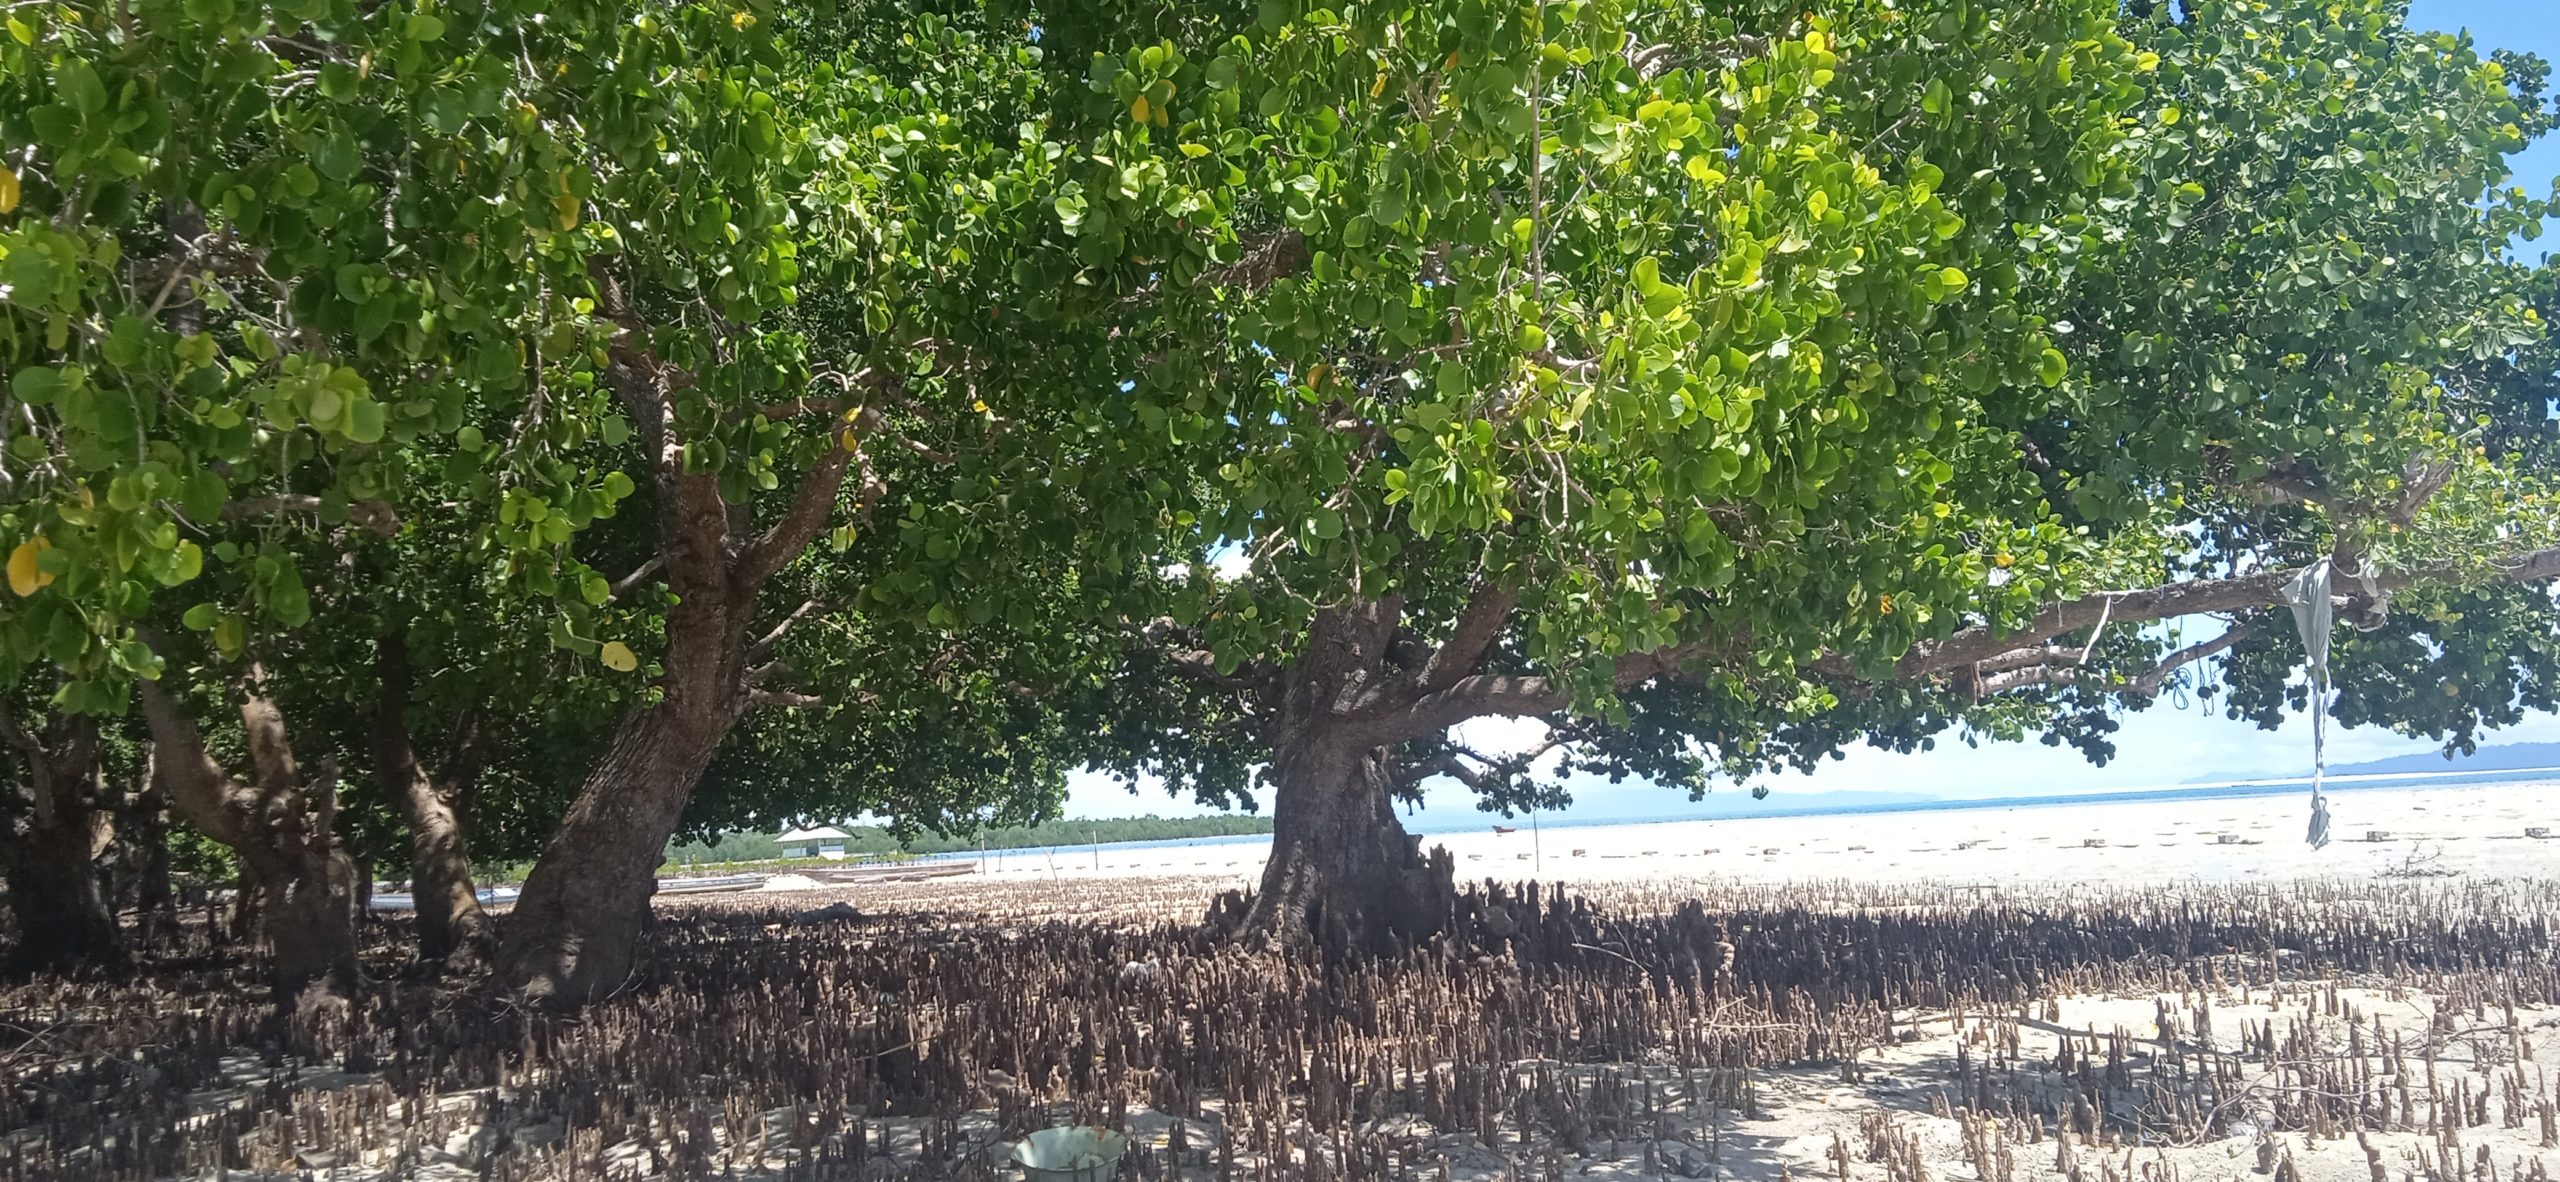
50, 856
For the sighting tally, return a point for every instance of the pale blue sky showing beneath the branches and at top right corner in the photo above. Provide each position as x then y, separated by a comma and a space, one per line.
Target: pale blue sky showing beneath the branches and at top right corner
2157, 748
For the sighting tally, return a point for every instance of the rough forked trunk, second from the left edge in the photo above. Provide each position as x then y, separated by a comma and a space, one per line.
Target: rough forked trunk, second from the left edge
280, 825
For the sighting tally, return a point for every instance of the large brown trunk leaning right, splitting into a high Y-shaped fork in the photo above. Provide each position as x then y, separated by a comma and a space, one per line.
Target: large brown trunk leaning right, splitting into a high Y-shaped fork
575, 933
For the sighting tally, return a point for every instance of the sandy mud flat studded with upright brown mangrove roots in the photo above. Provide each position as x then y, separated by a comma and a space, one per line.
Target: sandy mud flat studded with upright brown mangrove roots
2318, 1030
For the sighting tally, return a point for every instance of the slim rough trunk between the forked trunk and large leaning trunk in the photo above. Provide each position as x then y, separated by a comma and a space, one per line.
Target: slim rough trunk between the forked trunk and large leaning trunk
452, 927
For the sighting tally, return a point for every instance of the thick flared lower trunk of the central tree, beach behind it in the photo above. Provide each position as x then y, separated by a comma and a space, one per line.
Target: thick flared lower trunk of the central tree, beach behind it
1343, 869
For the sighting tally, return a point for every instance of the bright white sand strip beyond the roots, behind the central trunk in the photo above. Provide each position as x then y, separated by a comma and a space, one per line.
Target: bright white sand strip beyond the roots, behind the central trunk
2467, 830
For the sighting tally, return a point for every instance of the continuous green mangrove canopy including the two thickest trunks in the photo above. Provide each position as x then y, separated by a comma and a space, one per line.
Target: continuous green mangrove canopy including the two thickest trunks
892, 406
